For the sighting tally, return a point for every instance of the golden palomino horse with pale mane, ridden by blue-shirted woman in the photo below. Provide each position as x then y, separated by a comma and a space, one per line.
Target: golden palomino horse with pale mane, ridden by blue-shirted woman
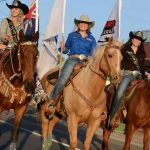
84, 99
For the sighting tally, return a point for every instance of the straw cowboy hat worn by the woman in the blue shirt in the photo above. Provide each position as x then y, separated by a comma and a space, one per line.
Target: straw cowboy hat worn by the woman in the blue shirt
86, 19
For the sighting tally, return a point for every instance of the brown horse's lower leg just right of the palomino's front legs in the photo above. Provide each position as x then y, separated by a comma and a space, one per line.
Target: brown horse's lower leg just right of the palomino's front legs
106, 136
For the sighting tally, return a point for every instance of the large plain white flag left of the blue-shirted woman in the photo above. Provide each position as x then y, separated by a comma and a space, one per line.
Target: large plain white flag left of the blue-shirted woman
48, 52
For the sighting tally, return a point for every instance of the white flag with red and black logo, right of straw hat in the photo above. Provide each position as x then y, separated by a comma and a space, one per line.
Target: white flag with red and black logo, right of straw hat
112, 26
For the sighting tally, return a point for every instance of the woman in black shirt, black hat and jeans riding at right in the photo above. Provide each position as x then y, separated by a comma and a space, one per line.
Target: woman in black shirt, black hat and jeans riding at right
133, 68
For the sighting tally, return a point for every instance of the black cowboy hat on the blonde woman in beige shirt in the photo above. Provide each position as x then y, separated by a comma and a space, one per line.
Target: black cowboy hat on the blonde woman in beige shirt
18, 4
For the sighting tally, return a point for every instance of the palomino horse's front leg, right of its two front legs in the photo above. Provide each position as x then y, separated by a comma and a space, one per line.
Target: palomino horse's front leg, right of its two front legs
91, 129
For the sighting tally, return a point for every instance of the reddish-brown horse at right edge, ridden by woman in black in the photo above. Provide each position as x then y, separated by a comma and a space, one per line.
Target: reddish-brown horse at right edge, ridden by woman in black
138, 114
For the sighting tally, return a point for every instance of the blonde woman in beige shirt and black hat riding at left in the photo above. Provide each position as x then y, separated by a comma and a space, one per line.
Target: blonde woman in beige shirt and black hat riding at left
10, 27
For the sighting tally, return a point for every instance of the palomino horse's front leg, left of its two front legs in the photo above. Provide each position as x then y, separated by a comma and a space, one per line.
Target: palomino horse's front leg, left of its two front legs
72, 122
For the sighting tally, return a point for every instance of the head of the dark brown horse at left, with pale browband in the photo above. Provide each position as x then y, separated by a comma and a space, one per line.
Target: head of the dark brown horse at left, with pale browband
28, 53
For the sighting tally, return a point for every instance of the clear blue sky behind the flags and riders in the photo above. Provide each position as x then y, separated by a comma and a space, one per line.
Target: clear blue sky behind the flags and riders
135, 14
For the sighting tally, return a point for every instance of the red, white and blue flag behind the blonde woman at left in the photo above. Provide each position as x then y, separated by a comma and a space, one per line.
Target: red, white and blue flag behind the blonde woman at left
31, 19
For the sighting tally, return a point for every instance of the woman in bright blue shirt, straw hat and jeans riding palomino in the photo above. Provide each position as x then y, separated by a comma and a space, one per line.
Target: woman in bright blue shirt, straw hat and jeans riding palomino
79, 46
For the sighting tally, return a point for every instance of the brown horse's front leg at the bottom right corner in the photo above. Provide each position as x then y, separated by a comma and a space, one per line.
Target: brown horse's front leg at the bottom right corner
146, 141
